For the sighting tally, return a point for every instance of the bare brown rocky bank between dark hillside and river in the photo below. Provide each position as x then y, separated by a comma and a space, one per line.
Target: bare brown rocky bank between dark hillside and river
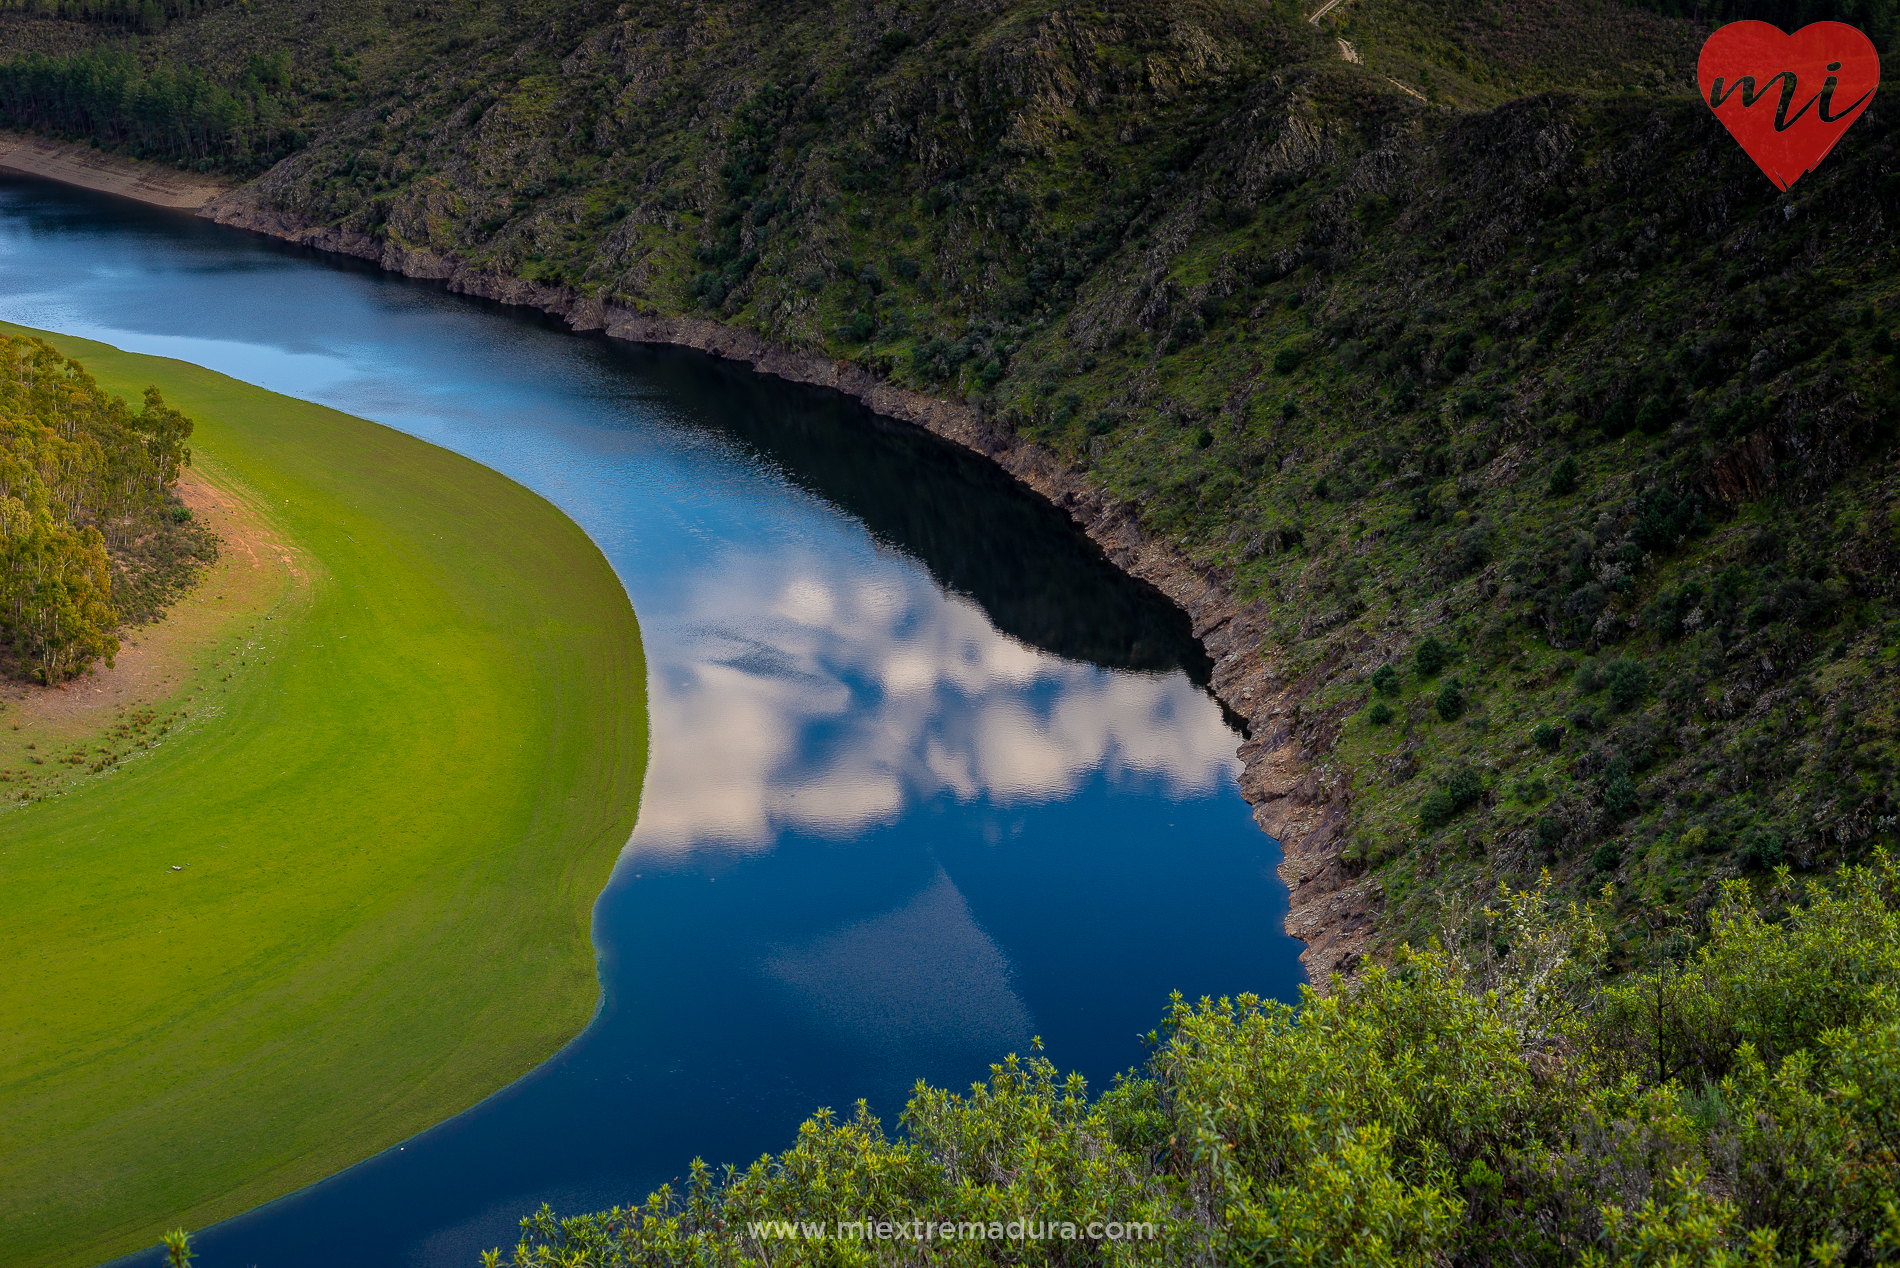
1297, 799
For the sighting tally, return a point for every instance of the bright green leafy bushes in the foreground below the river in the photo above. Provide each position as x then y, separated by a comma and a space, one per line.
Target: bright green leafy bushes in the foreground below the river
1500, 1107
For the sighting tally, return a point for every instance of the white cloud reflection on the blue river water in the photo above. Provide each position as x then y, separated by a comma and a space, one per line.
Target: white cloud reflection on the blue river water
805, 693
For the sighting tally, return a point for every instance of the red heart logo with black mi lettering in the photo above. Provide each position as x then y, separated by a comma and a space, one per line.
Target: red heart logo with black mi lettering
1789, 98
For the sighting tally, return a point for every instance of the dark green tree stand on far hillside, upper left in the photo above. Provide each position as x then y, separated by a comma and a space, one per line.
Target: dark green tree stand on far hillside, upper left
161, 113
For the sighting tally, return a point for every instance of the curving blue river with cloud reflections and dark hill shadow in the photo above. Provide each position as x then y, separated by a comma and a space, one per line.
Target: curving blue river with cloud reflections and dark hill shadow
928, 777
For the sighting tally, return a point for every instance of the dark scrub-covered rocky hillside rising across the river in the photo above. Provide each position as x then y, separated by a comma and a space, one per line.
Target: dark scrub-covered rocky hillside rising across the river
1544, 446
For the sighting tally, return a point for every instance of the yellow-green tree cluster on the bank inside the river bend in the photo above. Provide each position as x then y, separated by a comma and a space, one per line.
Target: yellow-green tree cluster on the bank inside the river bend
81, 474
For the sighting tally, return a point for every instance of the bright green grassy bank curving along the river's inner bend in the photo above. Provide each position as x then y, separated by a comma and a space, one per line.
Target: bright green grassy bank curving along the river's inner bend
394, 839
